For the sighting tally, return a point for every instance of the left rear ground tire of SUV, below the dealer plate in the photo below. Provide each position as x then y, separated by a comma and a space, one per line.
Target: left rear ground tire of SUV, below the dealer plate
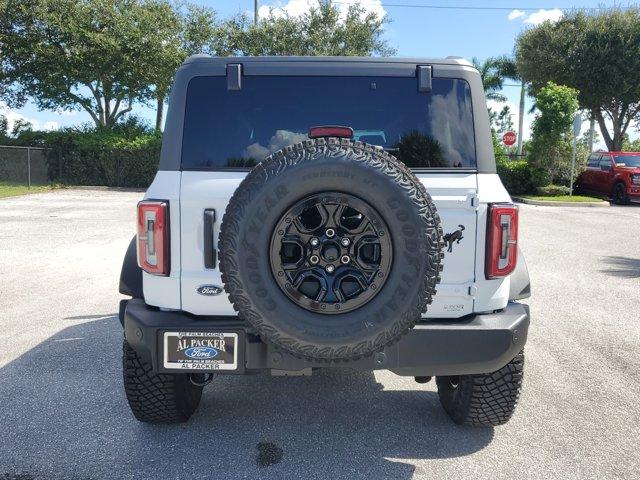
157, 397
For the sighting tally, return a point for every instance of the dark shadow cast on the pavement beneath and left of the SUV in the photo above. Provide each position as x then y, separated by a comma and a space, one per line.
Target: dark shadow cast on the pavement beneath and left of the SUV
64, 415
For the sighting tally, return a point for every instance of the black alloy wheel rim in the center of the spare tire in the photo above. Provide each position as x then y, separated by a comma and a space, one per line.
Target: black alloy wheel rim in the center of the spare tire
331, 253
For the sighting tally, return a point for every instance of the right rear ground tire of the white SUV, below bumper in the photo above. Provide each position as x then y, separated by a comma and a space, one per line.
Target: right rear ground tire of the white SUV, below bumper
482, 400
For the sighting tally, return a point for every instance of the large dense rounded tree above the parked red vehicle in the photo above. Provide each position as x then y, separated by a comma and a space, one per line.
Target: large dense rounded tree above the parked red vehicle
599, 55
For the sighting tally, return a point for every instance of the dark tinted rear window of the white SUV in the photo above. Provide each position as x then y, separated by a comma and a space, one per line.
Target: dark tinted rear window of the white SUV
237, 129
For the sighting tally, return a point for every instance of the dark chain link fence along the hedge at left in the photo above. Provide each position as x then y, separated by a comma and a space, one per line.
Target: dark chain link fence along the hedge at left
111, 167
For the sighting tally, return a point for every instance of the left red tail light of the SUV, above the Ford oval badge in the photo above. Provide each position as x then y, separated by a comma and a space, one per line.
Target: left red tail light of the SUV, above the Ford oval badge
153, 237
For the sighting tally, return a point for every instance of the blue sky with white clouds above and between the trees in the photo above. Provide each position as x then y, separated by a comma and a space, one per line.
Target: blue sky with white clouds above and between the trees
414, 31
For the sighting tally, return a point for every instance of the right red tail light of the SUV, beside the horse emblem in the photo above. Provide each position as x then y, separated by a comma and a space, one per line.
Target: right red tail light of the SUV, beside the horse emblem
502, 240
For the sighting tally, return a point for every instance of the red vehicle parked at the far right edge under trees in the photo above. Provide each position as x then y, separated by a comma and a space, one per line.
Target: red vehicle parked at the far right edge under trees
612, 173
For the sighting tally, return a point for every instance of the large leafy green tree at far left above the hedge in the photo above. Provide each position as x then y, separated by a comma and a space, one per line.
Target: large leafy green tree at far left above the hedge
80, 54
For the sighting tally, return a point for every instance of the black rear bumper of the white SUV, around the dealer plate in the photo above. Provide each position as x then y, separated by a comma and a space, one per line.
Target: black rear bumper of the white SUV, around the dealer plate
476, 344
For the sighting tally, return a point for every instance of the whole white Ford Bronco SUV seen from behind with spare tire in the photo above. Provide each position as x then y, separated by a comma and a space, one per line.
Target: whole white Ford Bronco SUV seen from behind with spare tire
325, 213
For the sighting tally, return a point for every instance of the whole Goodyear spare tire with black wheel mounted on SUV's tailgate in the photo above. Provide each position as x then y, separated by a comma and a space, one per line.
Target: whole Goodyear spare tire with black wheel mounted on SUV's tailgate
331, 249
